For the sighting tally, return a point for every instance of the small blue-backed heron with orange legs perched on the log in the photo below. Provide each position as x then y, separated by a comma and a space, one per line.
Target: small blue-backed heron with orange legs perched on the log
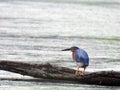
81, 58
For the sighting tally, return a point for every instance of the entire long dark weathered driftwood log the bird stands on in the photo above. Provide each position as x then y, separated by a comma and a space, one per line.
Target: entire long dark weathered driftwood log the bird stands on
52, 72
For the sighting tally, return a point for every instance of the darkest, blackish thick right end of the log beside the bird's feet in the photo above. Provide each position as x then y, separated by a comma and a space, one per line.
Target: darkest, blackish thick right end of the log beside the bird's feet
108, 78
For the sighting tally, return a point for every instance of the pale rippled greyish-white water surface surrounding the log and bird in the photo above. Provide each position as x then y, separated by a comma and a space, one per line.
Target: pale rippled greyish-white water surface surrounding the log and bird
37, 30
